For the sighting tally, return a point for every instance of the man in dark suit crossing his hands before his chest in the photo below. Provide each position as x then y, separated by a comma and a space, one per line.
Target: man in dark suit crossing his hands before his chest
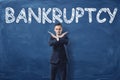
59, 58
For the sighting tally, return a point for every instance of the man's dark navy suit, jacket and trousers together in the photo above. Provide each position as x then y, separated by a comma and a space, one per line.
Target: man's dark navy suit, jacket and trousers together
58, 59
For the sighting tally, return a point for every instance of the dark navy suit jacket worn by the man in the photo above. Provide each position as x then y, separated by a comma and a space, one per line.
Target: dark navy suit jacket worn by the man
59, 52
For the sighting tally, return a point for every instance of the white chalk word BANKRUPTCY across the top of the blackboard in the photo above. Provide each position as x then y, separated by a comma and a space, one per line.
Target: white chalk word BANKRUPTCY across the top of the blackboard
51, 15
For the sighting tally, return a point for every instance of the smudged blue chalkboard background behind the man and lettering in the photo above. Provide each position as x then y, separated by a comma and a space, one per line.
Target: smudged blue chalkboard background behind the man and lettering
93, 49
